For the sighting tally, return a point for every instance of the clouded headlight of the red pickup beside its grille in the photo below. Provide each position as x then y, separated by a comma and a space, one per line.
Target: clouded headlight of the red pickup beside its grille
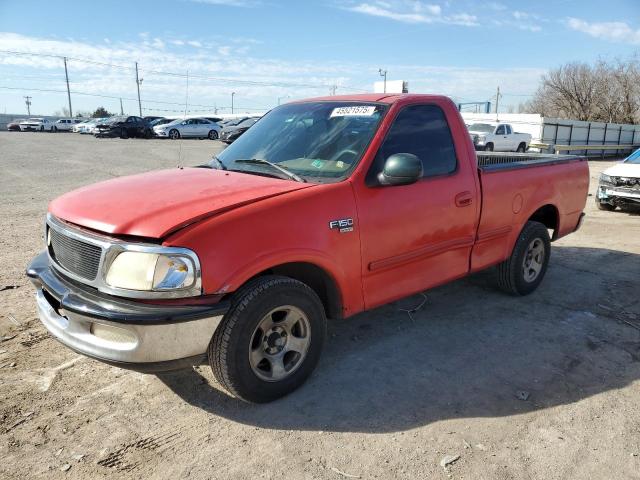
152, 272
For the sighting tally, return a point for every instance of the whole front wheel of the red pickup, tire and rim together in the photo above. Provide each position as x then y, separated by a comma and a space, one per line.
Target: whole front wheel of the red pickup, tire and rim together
270, 340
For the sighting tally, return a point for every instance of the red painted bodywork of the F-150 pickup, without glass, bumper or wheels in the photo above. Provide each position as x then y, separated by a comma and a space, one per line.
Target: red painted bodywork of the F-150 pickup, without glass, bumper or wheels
405, 239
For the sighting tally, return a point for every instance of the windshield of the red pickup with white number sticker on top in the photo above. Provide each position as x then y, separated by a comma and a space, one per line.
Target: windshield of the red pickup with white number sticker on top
314, 139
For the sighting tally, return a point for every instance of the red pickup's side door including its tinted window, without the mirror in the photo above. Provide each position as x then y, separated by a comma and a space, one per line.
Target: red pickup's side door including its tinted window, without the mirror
416, 236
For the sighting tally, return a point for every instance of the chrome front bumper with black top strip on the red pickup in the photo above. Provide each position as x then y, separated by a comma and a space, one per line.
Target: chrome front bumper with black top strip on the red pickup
120, 332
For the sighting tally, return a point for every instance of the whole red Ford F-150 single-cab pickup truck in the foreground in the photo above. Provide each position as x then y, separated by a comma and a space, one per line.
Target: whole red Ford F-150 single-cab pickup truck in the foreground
324, 208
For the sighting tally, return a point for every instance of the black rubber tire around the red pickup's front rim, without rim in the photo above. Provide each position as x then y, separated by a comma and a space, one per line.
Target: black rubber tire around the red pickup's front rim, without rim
230, 346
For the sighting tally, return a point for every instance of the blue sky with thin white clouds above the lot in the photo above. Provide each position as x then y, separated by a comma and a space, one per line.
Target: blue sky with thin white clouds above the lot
266, 49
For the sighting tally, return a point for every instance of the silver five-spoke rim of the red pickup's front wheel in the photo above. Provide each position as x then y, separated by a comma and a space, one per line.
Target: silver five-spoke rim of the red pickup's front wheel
279, 343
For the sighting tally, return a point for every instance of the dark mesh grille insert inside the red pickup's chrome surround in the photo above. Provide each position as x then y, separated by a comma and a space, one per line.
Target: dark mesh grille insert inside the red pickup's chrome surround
76, 256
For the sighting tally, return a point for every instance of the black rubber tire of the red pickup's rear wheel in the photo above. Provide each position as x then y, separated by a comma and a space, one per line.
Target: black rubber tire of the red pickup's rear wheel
511, 272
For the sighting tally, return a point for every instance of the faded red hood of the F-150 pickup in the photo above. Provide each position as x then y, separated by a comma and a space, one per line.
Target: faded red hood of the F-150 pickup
155, 204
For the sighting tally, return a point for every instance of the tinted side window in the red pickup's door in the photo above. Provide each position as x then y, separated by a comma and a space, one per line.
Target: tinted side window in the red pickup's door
423, 131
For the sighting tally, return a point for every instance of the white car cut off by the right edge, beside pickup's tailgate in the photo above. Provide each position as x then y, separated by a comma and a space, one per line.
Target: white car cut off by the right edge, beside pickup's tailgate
619, 186
